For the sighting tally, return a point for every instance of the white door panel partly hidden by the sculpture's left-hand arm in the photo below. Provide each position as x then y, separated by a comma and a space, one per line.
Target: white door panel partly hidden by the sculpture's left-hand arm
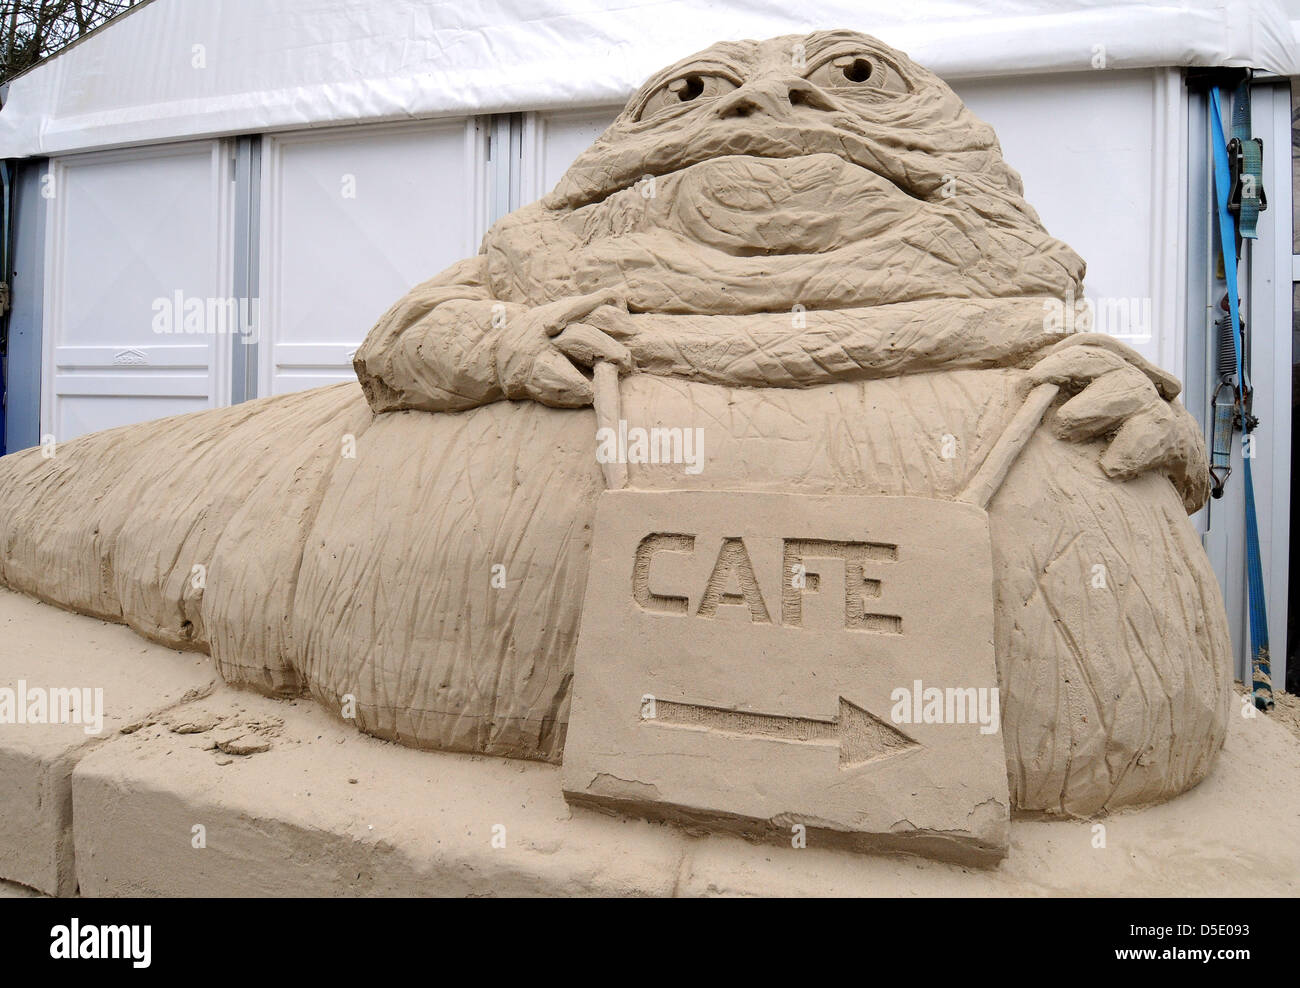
353, 219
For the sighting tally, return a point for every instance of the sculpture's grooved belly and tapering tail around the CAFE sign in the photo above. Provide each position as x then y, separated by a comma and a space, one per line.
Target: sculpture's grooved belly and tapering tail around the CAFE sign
437, 578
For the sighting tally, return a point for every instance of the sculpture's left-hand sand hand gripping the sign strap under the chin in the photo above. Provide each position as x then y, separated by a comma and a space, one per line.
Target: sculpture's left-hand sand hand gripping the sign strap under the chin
541, 354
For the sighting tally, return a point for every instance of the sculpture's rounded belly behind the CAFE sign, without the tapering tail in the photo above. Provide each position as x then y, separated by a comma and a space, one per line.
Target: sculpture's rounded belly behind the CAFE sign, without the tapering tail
1112, 695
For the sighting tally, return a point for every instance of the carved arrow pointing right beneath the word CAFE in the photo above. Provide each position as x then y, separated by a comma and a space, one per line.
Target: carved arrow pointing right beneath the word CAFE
861, 736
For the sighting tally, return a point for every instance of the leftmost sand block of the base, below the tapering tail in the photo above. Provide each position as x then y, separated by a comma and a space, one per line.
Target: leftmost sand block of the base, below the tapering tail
44, 651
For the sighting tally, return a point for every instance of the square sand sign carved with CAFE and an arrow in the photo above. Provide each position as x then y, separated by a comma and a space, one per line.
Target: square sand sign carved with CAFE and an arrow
770, 662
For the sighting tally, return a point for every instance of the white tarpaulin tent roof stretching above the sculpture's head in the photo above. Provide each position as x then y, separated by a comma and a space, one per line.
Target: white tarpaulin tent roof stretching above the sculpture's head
189, 68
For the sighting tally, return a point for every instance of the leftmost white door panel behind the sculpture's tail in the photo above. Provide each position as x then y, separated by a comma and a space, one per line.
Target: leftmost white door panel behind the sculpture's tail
137, 285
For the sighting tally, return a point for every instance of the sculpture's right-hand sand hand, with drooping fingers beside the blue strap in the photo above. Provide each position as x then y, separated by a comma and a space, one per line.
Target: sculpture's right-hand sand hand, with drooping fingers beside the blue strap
1123, 396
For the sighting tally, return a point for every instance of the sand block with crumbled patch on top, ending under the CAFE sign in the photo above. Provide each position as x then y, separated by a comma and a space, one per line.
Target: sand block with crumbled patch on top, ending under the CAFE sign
328, 812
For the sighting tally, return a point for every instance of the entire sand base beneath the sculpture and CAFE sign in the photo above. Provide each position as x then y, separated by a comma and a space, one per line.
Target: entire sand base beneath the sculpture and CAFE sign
198, 790
